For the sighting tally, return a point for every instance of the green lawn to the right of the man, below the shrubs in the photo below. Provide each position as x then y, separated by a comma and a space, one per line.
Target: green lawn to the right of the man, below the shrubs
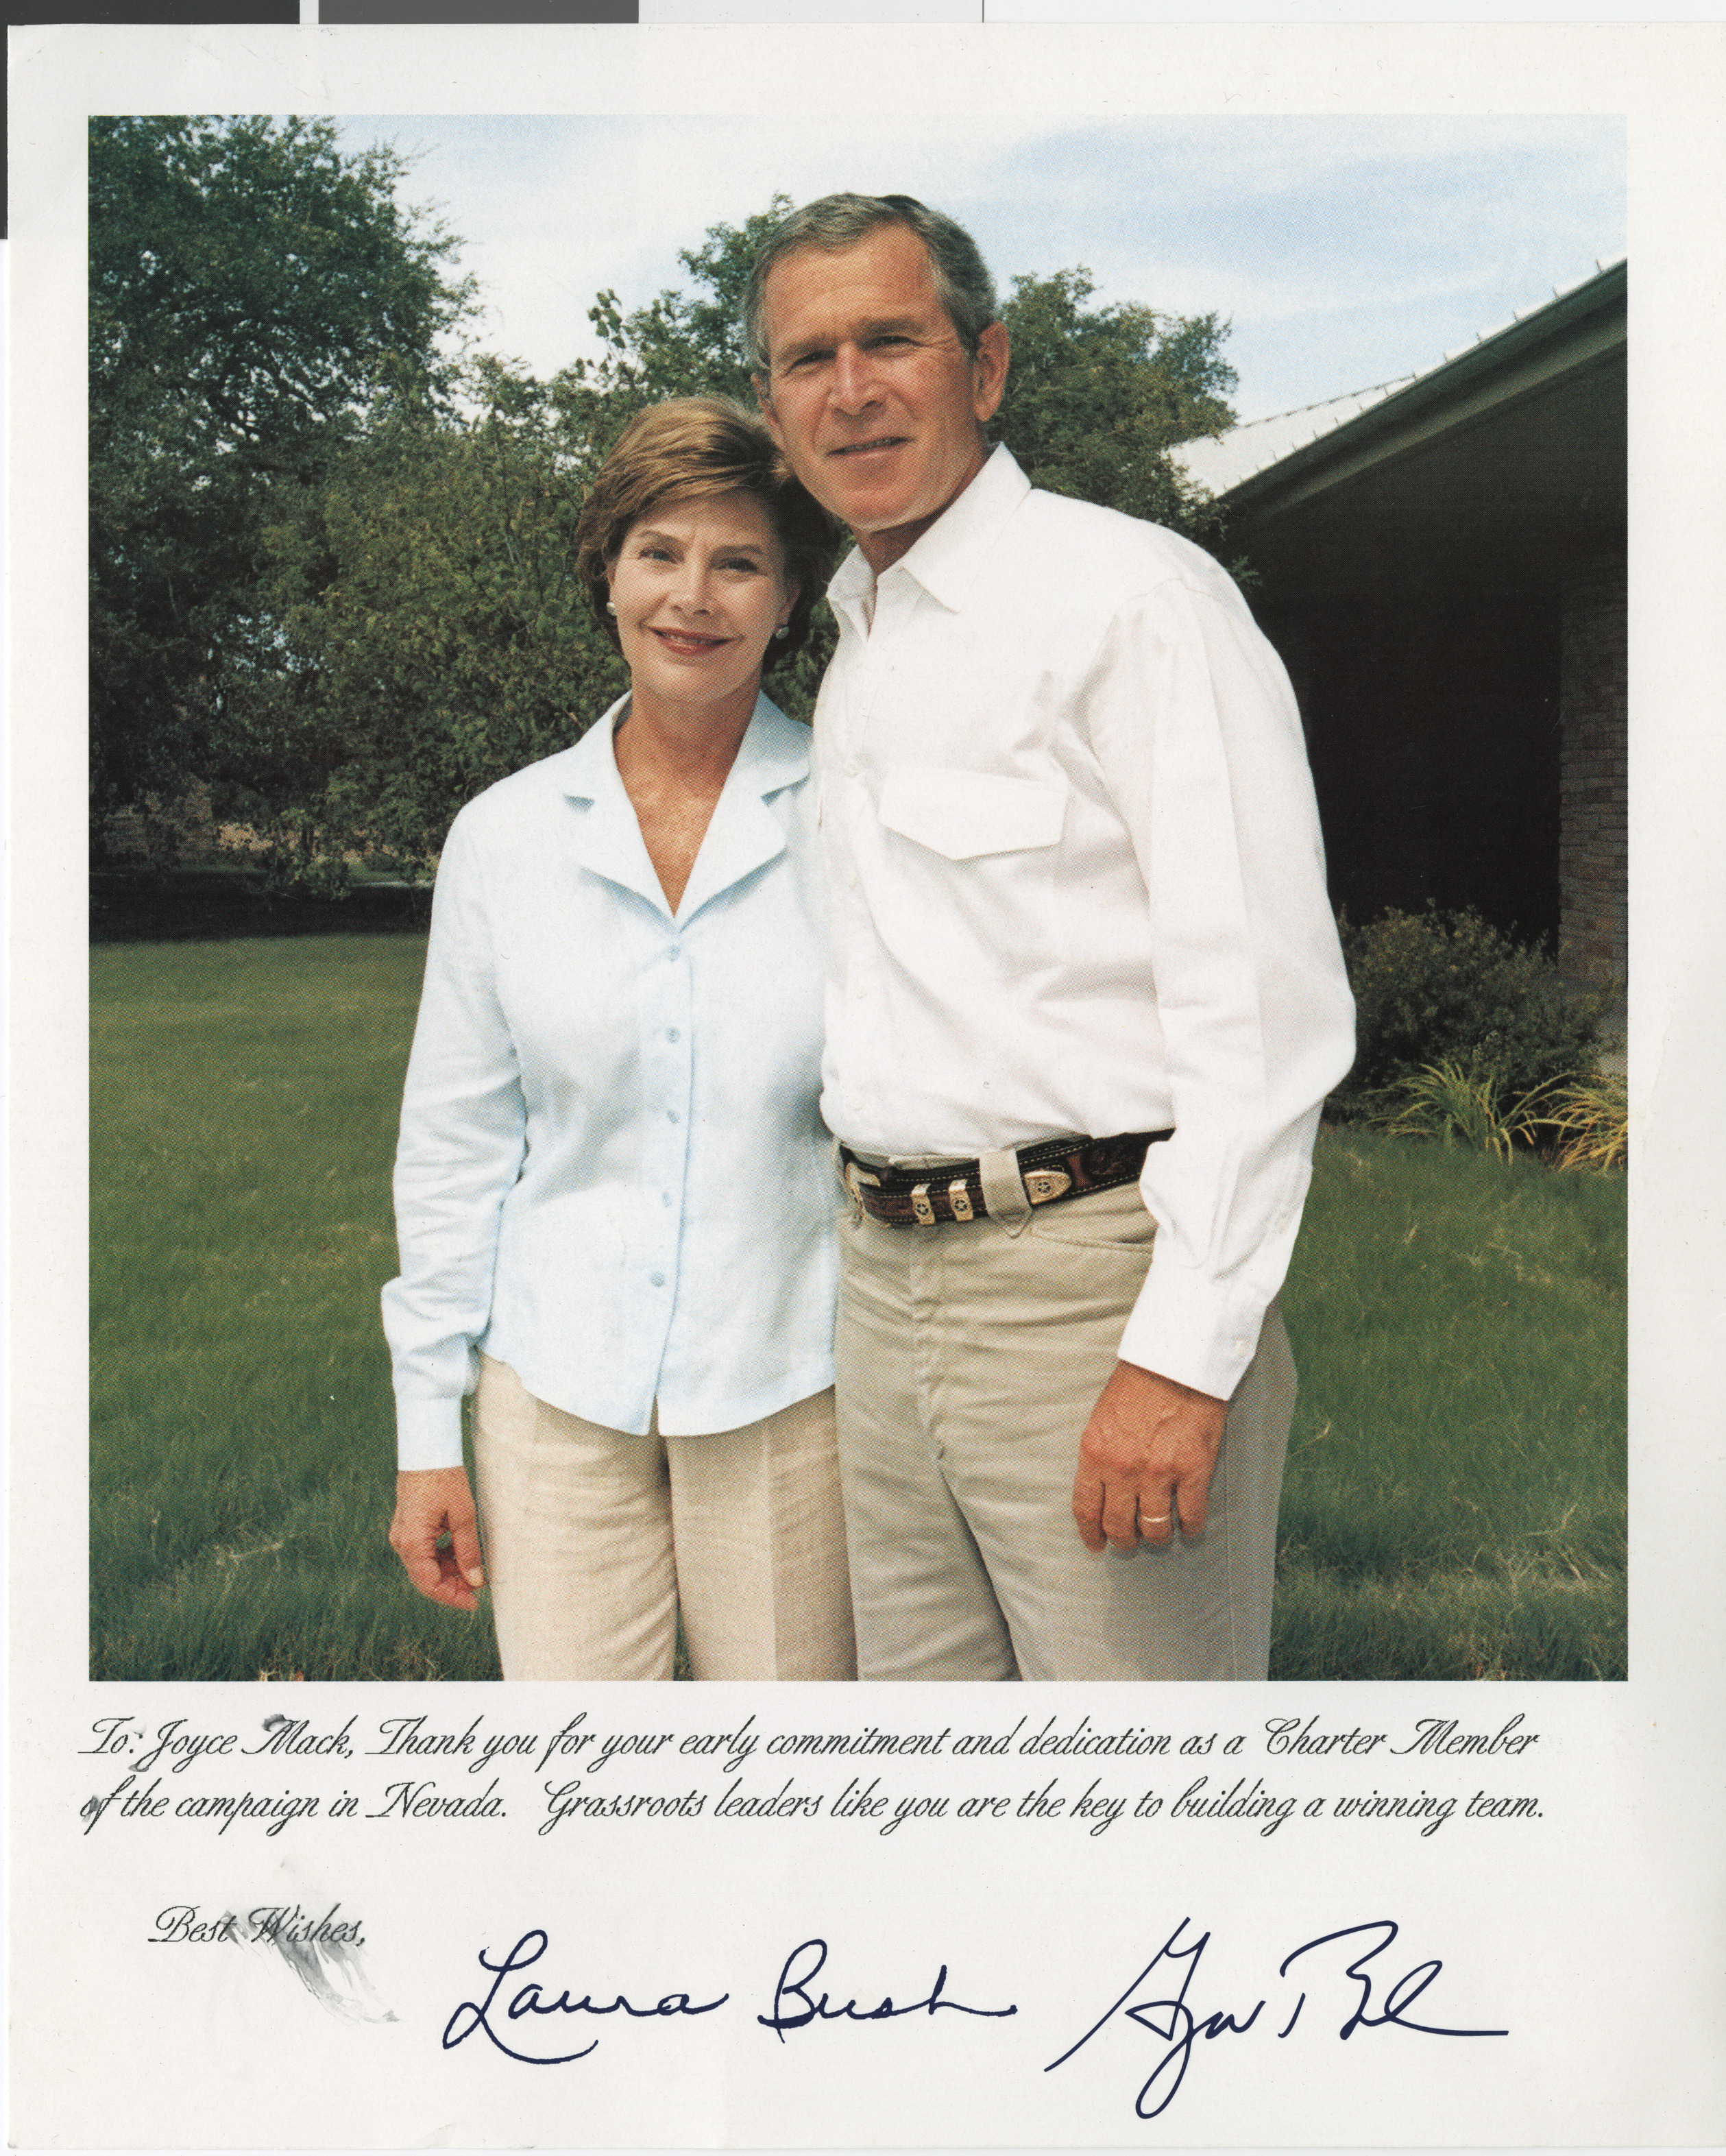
1456, 1491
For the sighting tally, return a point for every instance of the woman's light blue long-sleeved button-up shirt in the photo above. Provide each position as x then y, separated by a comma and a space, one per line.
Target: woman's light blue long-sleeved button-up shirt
613, 1174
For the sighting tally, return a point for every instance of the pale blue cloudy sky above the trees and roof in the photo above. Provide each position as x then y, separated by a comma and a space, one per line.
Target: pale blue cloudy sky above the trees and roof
1344, 251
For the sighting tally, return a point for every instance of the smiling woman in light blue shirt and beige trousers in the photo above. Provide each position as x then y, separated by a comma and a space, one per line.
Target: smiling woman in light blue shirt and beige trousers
613, 1187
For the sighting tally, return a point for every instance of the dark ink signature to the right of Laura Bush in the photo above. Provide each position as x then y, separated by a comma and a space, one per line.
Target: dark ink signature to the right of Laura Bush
1178, 2026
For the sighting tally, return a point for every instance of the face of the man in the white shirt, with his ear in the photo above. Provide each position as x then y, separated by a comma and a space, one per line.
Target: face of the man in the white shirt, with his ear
869, 391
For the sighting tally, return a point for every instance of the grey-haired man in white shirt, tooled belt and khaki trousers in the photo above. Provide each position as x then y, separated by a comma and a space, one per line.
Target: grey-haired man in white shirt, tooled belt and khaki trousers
1085, 1004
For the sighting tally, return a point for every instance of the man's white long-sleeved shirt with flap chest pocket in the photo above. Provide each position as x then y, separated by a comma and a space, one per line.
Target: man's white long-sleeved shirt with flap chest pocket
1078, 887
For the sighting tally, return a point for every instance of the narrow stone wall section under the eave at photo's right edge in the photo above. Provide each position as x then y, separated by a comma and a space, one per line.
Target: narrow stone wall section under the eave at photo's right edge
1593, 779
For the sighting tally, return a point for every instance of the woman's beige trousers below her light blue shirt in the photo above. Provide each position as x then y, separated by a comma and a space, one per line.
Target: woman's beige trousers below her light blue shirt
596, 1540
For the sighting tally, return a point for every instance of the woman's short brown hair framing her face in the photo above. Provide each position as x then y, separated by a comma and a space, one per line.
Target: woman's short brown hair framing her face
691, 450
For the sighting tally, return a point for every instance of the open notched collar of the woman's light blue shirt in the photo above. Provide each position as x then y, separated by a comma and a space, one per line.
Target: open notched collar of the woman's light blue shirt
609, 840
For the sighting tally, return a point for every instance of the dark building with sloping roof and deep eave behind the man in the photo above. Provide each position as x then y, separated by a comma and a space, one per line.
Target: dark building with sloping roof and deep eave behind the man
1443, 568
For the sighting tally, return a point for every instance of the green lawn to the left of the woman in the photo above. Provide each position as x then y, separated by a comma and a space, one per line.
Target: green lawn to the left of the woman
242, 1456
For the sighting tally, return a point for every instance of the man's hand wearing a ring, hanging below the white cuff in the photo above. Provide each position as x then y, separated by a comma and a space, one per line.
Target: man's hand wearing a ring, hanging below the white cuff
1147, 1454
